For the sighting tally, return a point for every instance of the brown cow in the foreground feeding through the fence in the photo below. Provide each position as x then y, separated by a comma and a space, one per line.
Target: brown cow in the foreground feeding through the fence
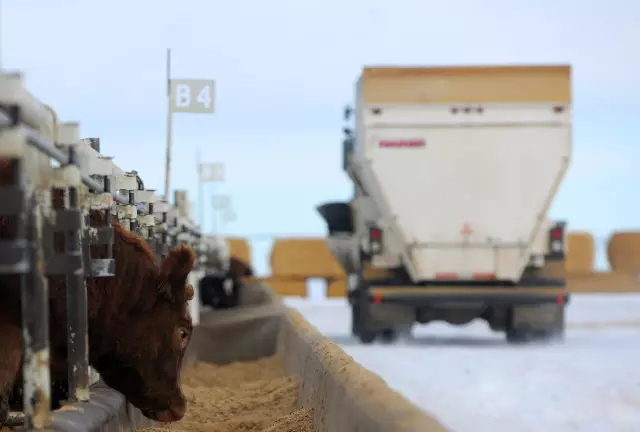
139, 326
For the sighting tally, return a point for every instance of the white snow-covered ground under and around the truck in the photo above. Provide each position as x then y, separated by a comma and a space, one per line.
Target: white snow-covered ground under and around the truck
471, 380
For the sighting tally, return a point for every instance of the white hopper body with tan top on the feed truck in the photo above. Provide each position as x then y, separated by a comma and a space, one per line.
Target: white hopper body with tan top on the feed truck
460, 177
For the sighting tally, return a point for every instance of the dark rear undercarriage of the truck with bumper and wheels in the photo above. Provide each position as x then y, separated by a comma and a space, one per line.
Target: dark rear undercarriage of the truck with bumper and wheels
532, 310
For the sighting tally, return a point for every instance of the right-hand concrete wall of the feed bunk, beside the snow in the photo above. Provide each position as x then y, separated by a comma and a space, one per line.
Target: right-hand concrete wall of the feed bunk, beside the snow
344, 395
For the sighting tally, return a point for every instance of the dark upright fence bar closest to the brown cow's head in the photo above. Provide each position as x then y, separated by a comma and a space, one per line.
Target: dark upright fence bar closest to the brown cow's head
77, 320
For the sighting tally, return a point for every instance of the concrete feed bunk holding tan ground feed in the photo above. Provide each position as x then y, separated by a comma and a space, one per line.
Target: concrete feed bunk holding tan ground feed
292, 379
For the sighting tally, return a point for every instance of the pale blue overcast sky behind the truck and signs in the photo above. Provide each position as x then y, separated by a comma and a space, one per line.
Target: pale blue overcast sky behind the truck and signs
283, 71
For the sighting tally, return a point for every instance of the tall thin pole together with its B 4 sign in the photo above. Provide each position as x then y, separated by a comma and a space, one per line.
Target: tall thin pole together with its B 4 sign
194, 96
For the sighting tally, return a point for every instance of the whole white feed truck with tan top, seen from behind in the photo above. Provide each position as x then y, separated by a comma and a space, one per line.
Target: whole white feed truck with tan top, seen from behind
454, 170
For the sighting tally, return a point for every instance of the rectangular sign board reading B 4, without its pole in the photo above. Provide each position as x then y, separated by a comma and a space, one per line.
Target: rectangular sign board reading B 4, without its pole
192, 96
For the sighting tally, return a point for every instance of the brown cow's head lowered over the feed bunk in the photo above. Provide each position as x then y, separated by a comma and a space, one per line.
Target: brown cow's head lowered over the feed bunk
144, 362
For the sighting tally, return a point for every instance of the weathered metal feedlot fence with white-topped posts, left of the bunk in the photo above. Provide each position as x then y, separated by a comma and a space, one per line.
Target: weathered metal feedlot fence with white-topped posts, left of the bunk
52, 212
